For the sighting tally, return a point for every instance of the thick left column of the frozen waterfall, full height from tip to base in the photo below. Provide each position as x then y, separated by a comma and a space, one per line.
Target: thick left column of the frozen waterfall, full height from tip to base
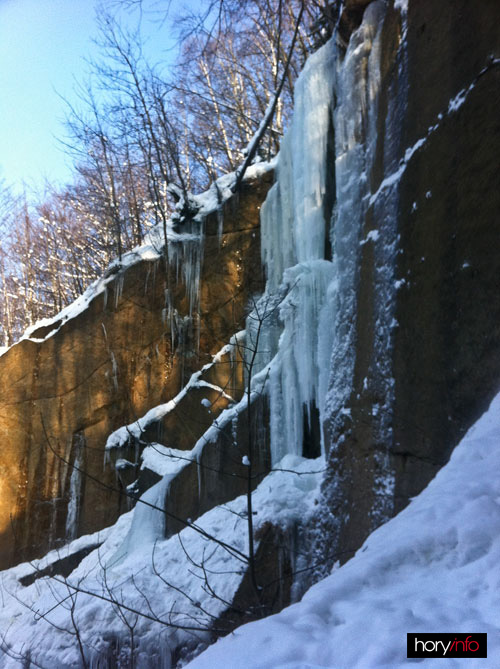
294, 236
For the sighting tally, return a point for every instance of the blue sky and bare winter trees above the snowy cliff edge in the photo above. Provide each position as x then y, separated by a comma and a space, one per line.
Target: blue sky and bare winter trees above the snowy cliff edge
148, 118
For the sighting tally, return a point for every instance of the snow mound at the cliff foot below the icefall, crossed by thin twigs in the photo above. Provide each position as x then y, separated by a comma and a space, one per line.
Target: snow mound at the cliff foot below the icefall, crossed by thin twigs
178, 597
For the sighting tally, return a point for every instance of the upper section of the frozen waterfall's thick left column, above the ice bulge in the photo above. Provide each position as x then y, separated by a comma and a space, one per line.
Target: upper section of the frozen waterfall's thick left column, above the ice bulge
292, 217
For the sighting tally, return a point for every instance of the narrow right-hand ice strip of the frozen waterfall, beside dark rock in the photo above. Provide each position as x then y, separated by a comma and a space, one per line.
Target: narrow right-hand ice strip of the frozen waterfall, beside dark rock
357, 86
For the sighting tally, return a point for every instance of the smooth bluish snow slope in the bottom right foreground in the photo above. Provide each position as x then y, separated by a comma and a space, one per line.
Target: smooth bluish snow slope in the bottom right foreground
433, 568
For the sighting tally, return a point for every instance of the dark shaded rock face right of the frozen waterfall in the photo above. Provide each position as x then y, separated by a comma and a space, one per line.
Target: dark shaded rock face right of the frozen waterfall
445, 359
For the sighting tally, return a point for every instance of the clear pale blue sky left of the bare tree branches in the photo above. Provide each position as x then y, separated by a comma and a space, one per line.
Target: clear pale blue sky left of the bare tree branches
43, 44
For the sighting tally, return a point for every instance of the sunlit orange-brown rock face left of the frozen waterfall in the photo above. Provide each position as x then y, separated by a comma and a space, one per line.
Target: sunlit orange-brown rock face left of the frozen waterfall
62, 396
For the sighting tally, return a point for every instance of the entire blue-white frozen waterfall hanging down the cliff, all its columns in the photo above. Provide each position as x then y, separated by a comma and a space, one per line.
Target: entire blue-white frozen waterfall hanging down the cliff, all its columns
312, 252
